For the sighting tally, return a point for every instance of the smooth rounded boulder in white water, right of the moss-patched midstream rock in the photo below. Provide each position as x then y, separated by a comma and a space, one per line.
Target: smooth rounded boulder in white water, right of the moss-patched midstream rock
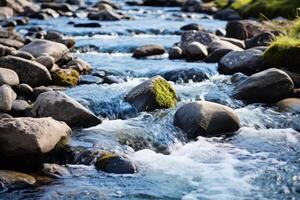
207, 119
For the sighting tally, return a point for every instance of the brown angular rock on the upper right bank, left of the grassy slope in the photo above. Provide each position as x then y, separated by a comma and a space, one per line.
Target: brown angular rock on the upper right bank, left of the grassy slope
243, 29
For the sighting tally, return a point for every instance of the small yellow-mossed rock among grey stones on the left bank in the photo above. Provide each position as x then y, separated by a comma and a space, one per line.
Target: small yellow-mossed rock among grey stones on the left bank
65, 77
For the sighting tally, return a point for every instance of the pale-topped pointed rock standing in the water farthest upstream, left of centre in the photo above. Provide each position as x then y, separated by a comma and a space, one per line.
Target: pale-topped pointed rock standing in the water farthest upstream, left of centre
105, 15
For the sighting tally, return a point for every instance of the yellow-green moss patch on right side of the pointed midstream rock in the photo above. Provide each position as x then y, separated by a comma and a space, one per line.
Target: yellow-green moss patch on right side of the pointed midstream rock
165, 94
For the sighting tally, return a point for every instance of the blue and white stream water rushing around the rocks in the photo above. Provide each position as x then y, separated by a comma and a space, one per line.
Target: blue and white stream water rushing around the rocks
261, 161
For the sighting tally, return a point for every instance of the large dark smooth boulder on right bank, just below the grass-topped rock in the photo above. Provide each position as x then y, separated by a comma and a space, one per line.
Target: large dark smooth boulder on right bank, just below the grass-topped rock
268, 86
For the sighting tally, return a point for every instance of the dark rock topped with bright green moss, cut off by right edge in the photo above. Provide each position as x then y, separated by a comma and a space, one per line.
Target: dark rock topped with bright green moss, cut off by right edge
284, 53
